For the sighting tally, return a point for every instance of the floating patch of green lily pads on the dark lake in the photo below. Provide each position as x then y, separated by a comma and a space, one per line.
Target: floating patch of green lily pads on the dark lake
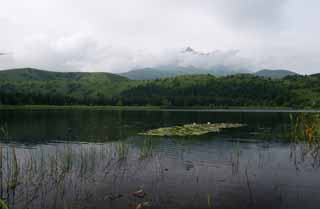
191, 129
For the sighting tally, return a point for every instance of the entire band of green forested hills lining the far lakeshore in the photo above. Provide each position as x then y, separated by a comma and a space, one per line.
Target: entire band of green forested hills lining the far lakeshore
27, 88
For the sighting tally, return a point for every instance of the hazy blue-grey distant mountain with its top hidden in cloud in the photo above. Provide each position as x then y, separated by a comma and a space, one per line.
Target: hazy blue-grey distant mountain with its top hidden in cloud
173, 71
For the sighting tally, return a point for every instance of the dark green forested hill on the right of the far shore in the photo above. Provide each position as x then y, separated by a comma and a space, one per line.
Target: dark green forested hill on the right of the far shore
236, 90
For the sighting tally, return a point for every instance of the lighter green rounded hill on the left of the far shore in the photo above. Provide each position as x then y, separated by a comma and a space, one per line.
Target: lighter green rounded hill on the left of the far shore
29, 86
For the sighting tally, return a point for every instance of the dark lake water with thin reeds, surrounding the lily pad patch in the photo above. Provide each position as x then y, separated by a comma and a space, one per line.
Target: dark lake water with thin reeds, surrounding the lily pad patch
96, 159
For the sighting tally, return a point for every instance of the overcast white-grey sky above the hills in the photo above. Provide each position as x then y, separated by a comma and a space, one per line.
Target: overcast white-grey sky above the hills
119, 35
